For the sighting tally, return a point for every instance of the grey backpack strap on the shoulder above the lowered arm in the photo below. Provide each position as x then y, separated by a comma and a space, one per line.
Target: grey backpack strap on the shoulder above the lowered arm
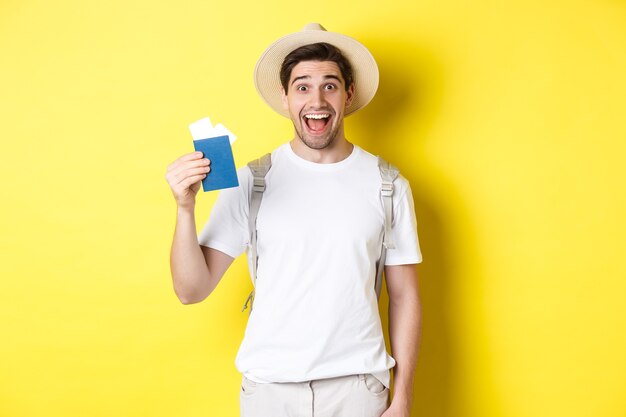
388, 174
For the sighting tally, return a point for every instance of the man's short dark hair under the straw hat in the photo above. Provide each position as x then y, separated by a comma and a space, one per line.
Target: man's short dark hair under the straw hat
315, 52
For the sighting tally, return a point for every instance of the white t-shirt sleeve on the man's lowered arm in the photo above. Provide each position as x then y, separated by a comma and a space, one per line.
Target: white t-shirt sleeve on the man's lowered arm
404, 228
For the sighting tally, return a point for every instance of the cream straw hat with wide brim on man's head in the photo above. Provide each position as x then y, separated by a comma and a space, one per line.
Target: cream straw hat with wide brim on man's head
364, 68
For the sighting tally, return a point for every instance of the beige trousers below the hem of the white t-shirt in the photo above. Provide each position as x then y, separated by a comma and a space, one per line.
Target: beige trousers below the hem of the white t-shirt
347, 396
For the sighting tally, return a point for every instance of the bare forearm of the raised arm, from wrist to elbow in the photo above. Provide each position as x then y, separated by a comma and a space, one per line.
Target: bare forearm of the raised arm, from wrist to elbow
190, 273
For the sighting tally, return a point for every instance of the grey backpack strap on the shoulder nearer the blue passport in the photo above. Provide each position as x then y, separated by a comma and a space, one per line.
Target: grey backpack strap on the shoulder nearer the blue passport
259, 168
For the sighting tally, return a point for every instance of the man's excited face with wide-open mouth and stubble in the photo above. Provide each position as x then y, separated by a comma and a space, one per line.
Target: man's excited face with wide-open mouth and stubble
316, 100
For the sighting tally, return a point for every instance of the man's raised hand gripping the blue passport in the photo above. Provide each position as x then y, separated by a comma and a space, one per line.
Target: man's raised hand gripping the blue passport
184, 176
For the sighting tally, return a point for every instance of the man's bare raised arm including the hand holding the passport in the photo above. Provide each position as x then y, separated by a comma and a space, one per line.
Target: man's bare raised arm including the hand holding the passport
196, 270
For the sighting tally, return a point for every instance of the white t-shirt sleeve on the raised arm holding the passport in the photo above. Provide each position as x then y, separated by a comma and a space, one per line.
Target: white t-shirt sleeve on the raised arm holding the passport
227, 227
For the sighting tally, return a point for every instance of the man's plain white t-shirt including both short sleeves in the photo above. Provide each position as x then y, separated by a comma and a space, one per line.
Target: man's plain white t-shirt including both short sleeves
320, 229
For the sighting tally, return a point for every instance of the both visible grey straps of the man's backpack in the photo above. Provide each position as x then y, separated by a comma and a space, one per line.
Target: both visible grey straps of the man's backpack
260, 167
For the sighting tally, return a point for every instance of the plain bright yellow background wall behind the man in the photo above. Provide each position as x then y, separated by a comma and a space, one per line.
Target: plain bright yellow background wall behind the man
508, 118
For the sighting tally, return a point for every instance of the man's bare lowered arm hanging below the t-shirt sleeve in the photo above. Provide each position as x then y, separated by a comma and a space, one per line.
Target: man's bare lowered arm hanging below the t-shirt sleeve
405, 322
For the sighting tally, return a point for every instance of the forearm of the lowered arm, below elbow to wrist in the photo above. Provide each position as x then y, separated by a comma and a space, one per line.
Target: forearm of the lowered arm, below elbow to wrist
405, 334
